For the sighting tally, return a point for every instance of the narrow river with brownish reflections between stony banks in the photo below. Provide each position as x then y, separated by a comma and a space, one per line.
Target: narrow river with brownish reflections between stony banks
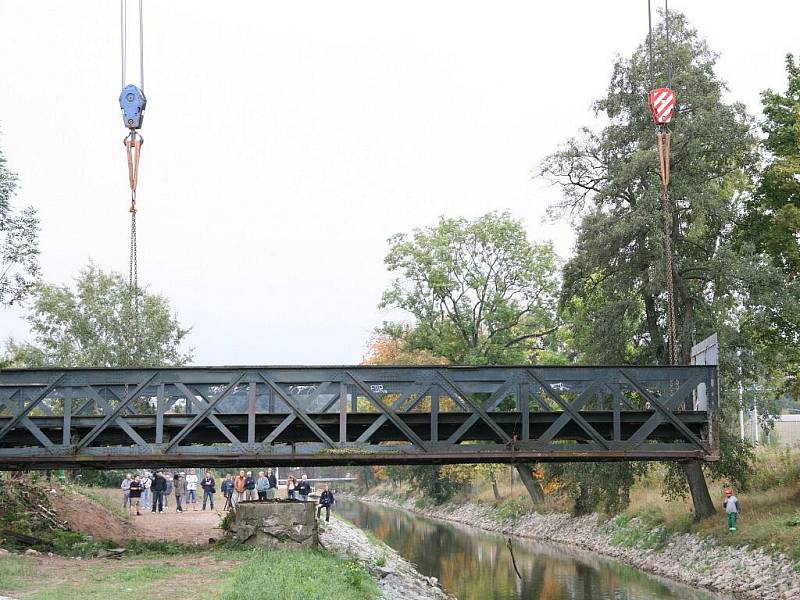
474, 564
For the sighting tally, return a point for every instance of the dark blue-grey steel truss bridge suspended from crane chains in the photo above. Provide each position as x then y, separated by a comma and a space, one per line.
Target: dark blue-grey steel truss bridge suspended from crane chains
341, 415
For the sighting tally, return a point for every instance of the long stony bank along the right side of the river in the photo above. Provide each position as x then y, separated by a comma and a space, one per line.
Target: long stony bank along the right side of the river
741, 571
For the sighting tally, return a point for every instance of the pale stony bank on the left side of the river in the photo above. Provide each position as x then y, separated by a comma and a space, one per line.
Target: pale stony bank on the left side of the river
397, 578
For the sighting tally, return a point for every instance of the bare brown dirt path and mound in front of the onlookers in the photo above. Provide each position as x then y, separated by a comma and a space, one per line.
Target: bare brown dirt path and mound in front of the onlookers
192, 527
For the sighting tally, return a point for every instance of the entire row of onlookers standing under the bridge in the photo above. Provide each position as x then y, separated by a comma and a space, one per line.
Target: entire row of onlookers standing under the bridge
153, 490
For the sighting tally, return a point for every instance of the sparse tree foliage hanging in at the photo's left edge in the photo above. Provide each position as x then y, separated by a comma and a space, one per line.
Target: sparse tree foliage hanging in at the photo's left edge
19, 242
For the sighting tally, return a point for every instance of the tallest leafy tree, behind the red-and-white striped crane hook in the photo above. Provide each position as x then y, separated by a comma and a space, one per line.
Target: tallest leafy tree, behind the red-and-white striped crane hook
611, 187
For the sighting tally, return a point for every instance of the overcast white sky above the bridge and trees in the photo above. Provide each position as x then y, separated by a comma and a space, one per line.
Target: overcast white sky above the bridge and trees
285, 141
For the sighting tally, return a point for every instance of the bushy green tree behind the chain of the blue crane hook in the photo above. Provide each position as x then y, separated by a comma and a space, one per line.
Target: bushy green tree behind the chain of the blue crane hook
87, 326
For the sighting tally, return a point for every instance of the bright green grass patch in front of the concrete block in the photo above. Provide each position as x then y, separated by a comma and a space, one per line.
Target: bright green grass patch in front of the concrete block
299, 575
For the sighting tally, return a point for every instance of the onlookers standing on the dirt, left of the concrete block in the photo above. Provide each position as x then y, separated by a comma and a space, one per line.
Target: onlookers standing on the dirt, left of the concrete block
153, 490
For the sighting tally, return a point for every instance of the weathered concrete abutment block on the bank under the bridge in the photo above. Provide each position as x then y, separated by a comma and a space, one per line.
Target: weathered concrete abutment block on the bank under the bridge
276, 524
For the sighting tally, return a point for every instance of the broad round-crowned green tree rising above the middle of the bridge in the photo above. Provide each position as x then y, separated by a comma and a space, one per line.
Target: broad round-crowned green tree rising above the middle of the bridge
479, 291
